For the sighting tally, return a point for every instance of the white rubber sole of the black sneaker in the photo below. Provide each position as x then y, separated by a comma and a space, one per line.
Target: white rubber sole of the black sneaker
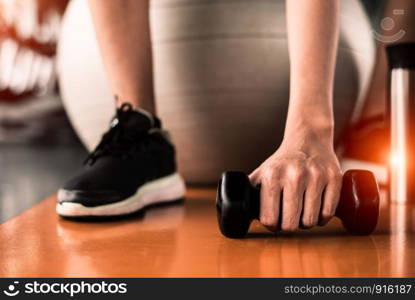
163, 190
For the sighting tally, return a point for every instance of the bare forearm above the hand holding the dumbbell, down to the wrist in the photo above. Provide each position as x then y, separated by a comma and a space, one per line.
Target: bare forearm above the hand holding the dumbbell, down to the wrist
313, 36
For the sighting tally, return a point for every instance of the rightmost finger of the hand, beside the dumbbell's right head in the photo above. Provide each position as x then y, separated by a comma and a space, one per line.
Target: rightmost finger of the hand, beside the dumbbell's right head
331, 196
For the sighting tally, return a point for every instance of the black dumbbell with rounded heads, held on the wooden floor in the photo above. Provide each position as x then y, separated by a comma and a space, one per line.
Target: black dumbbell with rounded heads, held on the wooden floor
237, 203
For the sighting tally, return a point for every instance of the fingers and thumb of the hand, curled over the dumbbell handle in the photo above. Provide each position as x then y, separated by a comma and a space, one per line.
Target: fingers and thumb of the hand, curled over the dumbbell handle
296, 195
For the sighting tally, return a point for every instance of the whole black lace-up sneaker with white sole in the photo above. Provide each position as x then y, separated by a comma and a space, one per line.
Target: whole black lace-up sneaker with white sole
132, 167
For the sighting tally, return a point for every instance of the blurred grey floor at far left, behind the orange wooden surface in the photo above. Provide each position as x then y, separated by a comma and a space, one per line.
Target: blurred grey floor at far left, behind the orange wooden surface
29, 173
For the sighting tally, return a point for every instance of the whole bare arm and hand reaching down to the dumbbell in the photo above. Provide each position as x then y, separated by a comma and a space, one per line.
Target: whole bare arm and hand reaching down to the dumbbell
301, 181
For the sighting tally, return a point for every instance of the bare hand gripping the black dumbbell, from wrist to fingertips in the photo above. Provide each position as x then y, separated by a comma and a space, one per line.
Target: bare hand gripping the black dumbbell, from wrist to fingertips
302, 178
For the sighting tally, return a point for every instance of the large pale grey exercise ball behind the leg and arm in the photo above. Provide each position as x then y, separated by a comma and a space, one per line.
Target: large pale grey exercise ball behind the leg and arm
221, 78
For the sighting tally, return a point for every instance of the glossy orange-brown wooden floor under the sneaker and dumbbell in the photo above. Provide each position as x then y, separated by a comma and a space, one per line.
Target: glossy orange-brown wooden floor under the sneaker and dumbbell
183, 241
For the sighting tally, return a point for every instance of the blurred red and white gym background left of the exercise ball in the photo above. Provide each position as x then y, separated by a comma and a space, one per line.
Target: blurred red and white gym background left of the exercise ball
30, 108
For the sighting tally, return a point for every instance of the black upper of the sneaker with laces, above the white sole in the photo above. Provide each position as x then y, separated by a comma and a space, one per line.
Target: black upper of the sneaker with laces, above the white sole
133, 152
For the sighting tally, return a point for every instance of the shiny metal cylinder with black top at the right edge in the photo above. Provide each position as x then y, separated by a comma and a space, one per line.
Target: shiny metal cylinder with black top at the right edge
401, 106
